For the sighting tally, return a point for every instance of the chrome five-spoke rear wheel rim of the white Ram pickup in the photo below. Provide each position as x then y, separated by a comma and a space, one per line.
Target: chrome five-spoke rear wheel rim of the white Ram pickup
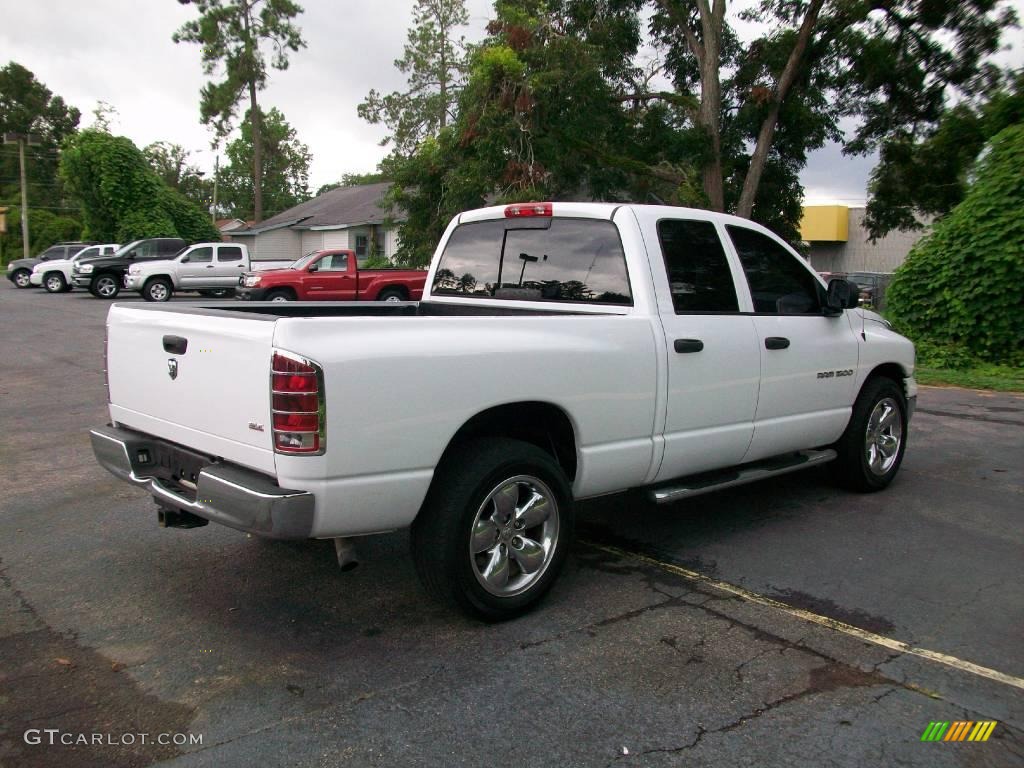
515, 536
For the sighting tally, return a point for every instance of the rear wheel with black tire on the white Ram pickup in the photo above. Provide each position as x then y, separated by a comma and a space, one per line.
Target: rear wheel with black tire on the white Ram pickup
461, 498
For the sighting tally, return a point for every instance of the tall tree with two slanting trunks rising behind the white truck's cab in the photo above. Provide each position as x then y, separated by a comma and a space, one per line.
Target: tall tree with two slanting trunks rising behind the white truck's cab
890, 65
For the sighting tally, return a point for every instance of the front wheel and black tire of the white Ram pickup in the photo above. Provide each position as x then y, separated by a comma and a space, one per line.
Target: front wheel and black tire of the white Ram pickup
864, 463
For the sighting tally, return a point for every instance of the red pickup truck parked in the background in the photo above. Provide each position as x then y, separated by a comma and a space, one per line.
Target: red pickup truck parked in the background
332, 276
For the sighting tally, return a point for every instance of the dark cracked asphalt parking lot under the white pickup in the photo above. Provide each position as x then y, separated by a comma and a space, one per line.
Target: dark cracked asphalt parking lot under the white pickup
780, 624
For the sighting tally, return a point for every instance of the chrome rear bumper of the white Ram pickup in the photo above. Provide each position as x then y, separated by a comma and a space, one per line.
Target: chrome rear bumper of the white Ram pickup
226, 494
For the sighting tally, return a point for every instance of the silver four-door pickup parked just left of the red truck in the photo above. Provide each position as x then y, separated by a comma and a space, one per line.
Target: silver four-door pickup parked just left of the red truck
207, 268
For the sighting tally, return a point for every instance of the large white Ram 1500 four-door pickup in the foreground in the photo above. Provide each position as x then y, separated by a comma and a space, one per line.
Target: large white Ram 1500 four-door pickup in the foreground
561, 352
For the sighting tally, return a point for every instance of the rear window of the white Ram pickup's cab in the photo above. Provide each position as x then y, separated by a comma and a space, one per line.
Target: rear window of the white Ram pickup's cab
572, 261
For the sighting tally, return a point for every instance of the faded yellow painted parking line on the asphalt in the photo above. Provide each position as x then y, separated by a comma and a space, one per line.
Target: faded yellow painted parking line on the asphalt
846, 629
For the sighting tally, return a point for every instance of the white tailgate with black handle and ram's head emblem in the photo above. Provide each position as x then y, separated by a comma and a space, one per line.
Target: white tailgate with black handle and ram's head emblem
196, 379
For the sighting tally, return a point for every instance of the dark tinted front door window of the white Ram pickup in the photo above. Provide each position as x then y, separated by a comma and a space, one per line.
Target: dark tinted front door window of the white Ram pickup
780, 284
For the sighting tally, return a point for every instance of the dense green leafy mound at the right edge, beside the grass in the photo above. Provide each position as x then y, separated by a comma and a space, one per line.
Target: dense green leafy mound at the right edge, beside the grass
960, 286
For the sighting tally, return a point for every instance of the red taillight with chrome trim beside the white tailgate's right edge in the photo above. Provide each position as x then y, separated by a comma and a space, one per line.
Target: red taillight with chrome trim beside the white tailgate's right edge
297, 404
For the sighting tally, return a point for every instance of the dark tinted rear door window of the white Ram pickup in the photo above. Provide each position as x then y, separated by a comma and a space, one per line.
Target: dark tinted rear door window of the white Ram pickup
699, 272
